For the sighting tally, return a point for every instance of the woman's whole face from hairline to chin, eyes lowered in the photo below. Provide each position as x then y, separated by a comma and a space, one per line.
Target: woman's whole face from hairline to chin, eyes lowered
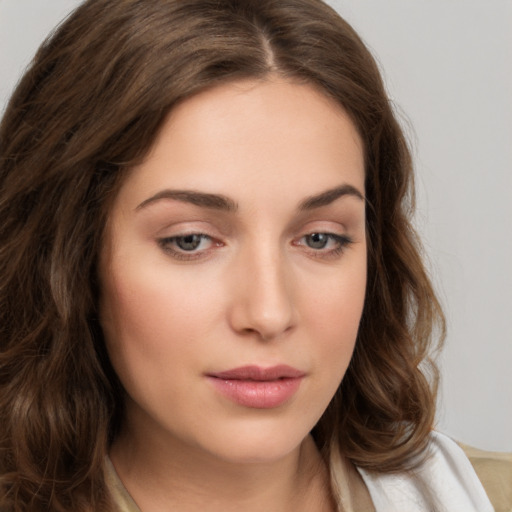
234, 271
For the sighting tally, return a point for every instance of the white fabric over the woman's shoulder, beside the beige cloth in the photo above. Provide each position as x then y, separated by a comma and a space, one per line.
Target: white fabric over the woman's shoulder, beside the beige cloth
444, 482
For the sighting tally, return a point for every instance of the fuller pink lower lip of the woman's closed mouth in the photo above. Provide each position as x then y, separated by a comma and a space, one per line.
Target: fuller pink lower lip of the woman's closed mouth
257, 394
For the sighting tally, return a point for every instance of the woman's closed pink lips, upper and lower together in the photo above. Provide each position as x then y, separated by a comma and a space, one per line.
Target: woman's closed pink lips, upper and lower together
256, 387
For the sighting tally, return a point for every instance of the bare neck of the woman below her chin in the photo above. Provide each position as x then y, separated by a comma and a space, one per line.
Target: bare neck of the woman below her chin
172, 477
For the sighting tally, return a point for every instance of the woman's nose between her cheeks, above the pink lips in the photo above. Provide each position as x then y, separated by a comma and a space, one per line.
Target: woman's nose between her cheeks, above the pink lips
263, 302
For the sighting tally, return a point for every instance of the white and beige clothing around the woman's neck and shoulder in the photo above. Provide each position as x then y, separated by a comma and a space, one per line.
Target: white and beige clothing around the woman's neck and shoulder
446, 482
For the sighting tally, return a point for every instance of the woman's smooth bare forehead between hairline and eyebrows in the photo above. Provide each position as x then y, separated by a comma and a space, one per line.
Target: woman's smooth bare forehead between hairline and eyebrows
249, 138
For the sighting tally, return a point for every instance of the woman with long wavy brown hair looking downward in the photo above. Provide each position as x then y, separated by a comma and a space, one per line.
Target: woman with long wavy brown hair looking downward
211, 294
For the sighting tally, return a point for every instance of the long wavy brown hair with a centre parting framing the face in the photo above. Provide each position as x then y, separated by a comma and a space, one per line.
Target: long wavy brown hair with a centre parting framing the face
85, 112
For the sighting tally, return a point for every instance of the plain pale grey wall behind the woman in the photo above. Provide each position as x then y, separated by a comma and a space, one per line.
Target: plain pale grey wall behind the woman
447, 65
